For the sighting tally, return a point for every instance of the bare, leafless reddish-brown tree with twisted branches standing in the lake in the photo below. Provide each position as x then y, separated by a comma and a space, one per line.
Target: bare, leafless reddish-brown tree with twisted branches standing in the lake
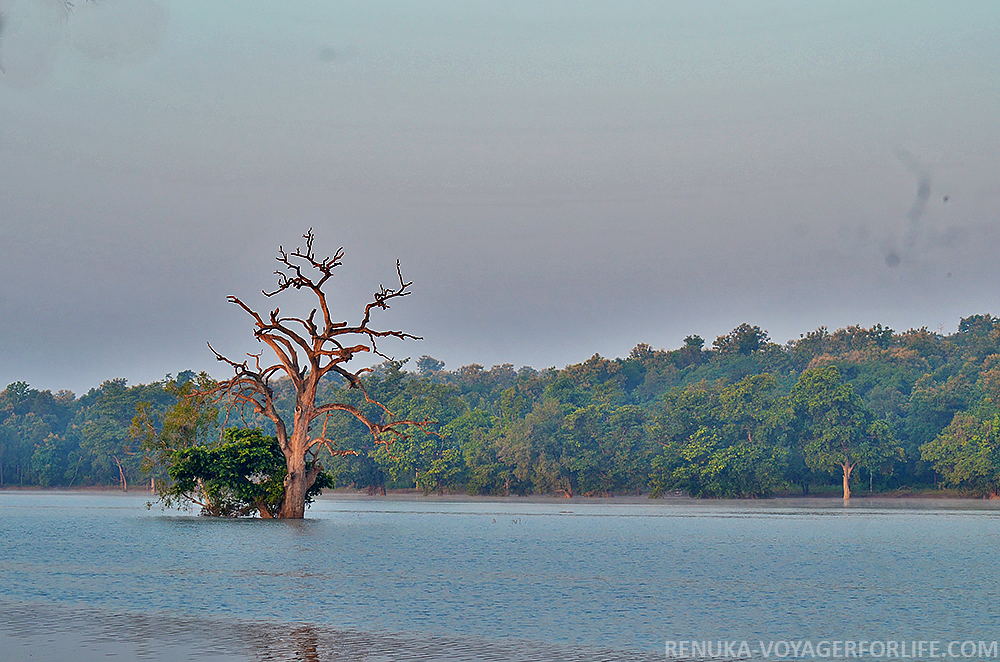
305, 350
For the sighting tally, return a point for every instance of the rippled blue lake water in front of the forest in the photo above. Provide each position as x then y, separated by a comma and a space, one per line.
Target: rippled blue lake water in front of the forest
406, 578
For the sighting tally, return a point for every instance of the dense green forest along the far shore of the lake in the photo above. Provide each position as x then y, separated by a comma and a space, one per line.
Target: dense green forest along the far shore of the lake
864, 410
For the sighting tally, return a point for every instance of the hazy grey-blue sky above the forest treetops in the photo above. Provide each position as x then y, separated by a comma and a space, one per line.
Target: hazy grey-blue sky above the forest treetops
557, 179
